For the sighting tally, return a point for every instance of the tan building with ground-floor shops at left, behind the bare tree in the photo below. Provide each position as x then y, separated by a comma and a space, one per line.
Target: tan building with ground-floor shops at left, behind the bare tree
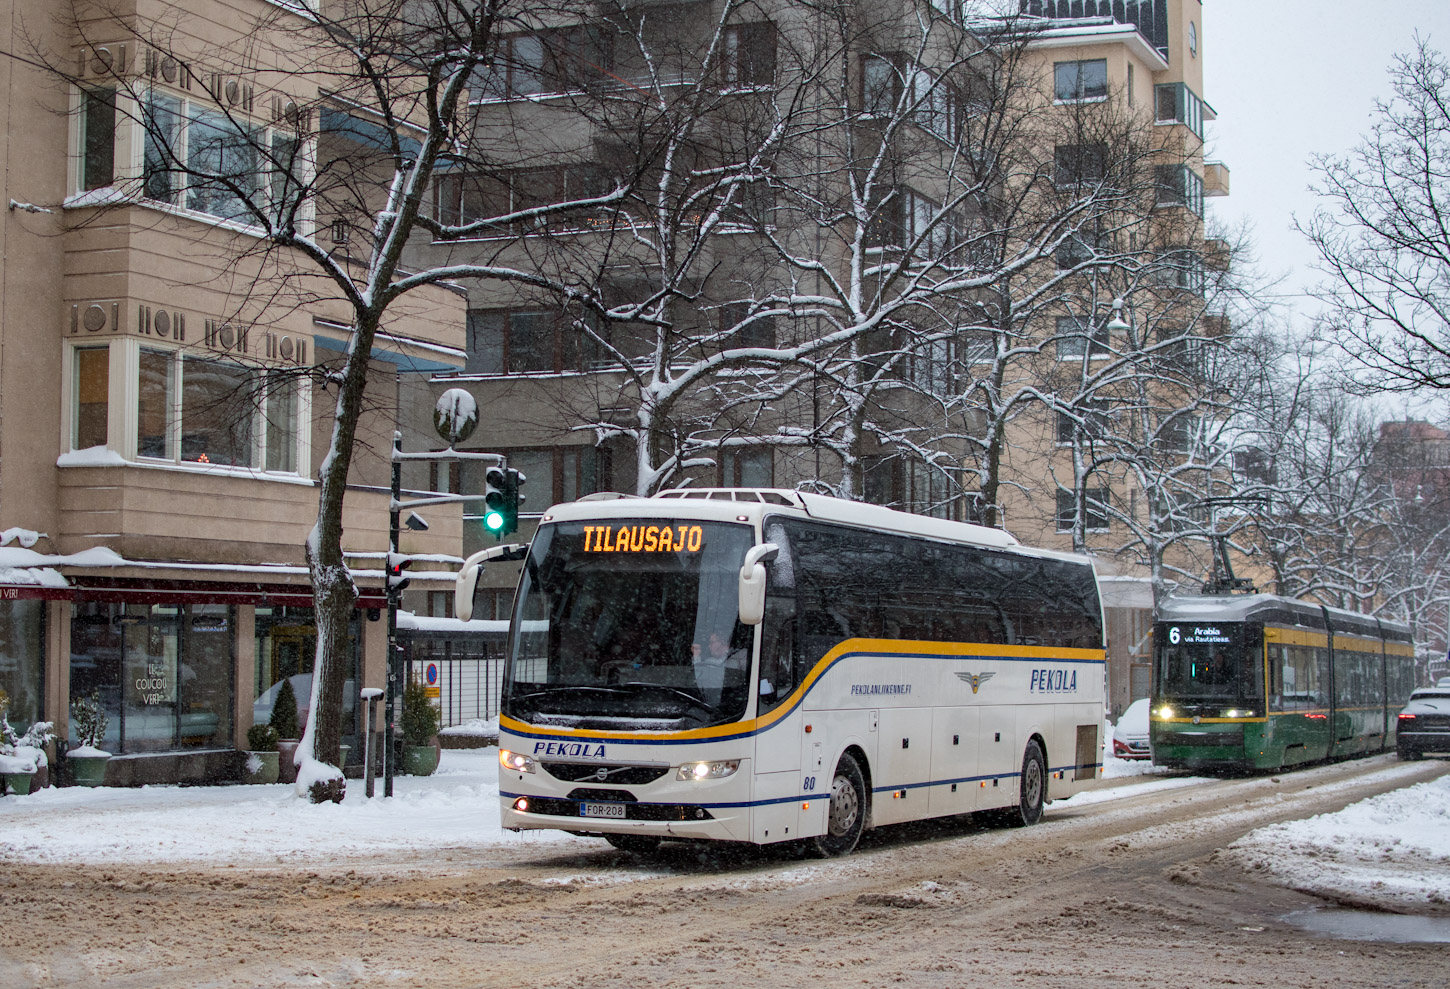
162, 418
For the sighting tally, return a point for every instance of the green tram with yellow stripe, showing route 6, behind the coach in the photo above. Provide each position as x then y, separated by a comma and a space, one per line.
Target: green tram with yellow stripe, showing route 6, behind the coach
1249, 682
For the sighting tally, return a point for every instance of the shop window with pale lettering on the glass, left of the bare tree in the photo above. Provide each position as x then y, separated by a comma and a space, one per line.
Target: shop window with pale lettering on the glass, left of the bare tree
163, 672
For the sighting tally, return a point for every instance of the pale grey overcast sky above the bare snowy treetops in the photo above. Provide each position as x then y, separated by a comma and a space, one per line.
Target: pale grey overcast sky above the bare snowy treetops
1291, 79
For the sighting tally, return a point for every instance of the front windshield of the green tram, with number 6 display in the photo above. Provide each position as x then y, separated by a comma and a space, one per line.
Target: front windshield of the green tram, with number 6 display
1214, 663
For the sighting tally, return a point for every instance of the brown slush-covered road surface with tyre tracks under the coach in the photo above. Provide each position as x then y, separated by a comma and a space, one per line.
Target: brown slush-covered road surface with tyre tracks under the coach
1117, 893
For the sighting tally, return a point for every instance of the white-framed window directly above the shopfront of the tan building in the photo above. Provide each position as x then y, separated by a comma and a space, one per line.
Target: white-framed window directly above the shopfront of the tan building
205, 411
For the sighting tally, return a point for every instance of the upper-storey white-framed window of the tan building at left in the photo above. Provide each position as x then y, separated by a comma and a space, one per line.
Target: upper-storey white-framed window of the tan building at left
214, 163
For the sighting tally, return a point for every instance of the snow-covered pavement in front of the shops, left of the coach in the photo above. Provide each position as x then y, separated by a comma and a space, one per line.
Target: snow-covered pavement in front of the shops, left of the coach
265, 826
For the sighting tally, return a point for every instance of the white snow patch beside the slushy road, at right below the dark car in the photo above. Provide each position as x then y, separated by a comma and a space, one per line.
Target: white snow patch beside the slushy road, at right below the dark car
1390, 851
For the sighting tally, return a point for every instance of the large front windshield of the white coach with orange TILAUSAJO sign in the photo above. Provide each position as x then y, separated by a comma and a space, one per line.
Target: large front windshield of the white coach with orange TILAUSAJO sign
631, 624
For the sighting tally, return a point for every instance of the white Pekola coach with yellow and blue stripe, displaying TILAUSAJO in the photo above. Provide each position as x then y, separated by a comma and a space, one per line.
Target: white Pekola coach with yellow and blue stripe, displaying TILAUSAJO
772, 666
